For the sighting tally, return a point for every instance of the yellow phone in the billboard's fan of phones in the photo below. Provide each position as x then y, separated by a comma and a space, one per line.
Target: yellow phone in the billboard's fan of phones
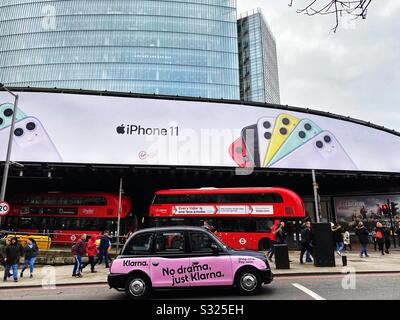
284, 126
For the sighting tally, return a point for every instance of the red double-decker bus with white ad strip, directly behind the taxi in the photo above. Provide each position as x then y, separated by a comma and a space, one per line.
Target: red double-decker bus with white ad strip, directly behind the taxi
242, 217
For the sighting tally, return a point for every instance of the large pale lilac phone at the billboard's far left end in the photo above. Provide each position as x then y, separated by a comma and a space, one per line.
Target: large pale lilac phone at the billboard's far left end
31, 142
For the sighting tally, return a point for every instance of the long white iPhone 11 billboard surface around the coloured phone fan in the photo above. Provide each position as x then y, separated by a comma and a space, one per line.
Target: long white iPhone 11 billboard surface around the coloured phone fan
83, 129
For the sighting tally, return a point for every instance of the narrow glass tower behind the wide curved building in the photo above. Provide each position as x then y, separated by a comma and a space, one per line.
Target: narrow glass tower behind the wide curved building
258, 62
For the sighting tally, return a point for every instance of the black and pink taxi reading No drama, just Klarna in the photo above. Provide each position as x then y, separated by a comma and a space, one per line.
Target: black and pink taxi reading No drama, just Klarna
185, 257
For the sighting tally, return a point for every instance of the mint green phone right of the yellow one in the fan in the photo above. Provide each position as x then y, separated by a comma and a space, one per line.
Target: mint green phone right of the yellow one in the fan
304, 131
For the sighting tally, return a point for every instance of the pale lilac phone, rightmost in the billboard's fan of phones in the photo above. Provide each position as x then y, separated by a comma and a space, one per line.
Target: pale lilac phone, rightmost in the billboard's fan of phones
323, 151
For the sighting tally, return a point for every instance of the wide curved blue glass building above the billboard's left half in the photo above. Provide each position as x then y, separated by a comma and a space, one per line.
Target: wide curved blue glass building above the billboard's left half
173, 47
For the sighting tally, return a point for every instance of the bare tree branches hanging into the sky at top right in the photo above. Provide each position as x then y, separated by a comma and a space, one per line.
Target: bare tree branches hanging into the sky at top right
355, 8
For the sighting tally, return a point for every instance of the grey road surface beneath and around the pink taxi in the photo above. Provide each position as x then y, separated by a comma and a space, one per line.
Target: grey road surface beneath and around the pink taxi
333, 287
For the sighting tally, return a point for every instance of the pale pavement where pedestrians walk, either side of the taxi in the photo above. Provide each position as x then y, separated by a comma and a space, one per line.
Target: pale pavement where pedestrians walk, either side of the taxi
62, 275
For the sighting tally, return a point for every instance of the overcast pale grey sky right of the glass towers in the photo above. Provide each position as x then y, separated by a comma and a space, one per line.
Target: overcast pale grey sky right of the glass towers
354, 72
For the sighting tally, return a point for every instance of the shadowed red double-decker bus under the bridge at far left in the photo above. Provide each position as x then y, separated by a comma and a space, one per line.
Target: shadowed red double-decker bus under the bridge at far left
65, 216
